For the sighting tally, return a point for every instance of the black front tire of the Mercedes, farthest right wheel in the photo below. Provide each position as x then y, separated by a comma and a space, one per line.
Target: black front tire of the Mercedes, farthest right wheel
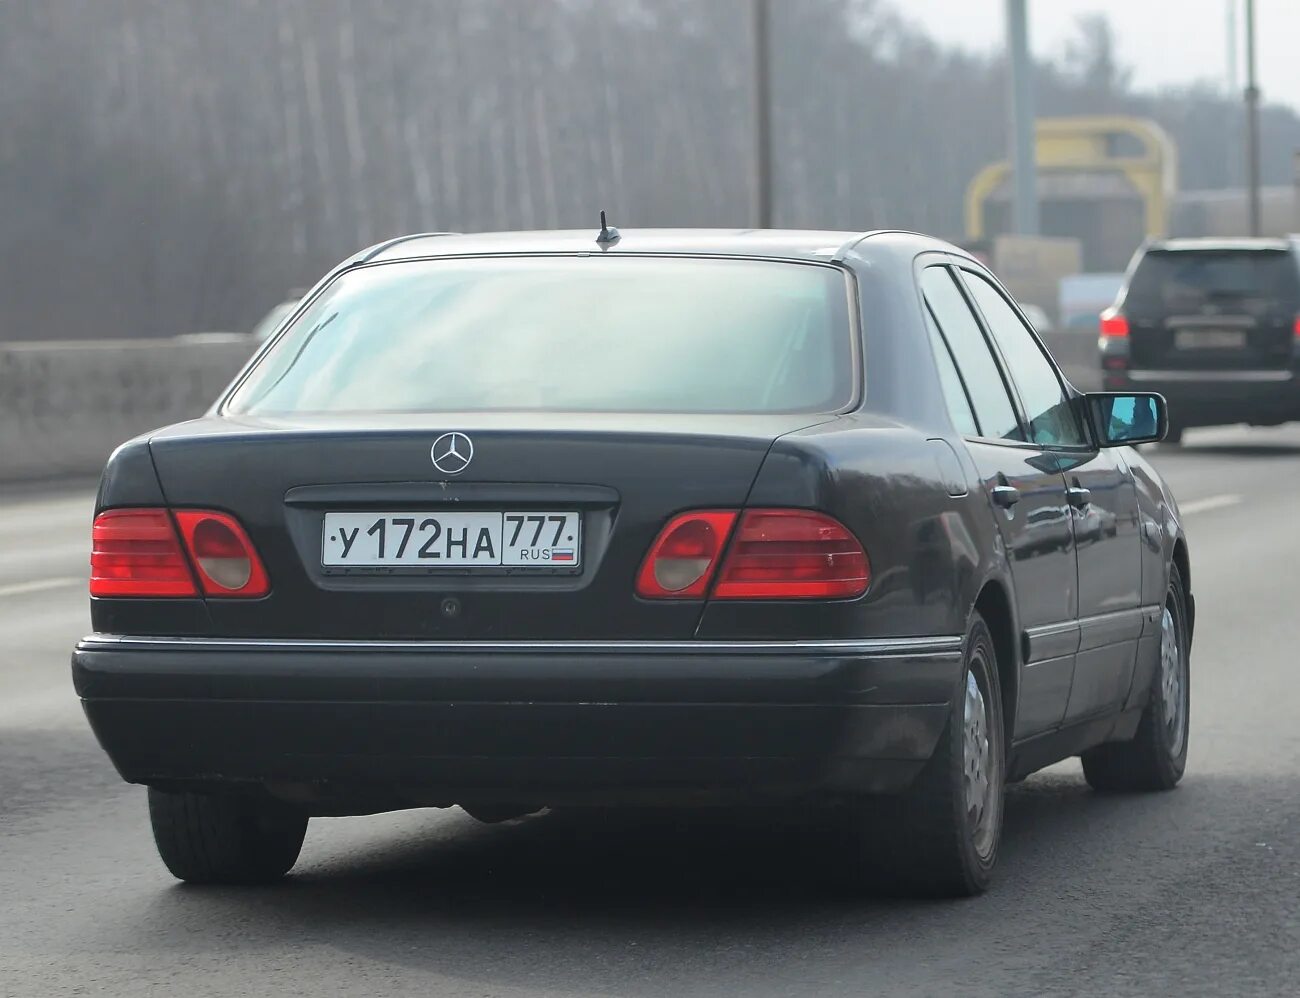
1158, 756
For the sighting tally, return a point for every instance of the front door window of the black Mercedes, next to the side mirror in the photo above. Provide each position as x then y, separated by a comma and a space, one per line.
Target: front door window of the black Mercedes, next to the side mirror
1054, 422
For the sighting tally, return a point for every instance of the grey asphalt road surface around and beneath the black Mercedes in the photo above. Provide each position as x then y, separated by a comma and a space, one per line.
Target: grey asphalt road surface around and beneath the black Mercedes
1190, 893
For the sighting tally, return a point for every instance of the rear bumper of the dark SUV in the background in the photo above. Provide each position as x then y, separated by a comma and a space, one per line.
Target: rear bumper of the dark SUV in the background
1208, 398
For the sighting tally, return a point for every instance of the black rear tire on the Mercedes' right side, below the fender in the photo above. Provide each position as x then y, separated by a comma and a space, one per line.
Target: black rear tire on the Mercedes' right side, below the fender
926, 843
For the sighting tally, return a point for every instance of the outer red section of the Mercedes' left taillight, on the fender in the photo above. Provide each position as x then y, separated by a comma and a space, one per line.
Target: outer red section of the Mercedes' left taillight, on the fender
136, 553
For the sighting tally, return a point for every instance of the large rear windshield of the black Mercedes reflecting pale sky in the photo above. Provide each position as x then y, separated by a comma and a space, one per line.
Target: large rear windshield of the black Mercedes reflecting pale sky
575, 335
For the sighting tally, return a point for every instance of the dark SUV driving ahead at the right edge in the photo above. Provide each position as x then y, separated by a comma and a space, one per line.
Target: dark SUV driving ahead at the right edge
1214, 326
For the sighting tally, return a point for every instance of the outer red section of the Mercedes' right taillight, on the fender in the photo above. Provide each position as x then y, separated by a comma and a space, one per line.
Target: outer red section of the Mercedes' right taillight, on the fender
792, 554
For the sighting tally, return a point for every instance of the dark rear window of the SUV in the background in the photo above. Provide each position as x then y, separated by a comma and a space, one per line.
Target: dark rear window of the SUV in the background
1191, 279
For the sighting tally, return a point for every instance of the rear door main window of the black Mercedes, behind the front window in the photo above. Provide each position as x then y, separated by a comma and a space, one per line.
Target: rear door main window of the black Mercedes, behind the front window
972, 353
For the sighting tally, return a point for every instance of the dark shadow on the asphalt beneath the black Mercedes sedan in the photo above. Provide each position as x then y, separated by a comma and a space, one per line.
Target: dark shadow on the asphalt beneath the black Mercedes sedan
582, 899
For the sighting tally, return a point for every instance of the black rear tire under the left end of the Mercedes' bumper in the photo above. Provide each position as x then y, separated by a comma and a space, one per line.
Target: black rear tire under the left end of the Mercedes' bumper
226, 839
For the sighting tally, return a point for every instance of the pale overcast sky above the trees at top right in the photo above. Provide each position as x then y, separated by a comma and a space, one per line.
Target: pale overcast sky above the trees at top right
1163, 41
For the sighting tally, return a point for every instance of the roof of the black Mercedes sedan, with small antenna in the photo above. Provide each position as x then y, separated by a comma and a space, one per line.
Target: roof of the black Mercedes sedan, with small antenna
770, 244
